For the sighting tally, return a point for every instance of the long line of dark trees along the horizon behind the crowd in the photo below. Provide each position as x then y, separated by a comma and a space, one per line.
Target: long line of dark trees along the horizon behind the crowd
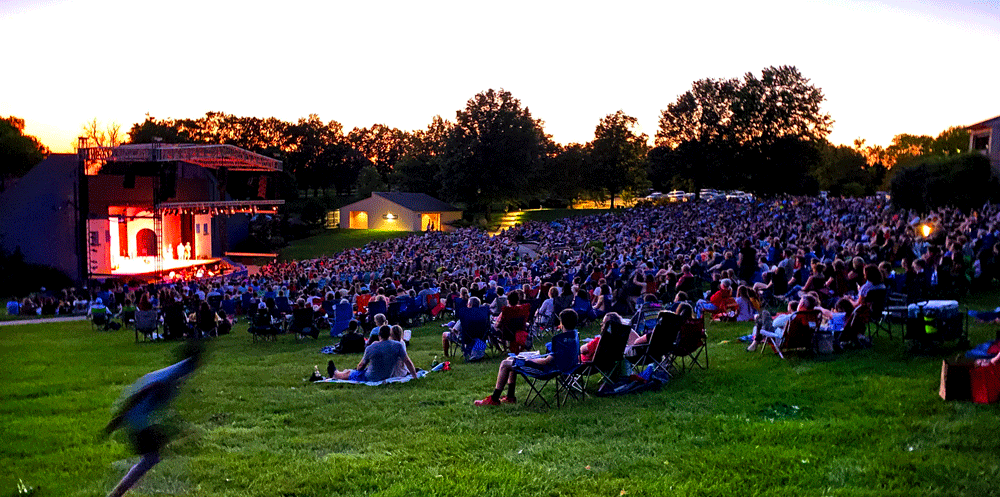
762, 133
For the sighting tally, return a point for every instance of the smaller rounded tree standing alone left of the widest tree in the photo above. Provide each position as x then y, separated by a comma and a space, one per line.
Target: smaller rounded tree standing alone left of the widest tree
619, 155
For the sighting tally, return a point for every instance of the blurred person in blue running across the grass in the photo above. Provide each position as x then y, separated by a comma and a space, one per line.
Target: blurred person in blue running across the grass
142, 408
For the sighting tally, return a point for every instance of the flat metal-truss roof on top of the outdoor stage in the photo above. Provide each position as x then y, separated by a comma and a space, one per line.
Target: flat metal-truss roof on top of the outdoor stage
209, 156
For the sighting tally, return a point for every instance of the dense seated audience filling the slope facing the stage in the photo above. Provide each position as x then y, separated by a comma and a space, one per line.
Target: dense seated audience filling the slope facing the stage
728, 259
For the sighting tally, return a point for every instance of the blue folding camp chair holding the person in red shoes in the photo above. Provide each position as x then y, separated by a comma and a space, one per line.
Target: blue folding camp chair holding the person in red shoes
566, 352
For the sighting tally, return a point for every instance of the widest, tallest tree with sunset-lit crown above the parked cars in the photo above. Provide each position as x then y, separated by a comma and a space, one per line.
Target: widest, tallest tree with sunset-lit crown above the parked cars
761, 133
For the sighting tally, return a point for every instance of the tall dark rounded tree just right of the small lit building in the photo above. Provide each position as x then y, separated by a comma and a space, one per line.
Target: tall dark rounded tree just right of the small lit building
492, 152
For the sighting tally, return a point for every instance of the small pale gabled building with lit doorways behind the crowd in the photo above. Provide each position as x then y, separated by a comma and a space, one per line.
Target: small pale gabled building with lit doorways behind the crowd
399, 211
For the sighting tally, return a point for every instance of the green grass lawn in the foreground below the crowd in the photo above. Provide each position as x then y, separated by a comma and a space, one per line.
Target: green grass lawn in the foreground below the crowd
858, 423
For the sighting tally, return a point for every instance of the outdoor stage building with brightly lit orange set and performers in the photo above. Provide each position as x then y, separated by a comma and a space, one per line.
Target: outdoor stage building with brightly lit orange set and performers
134, 211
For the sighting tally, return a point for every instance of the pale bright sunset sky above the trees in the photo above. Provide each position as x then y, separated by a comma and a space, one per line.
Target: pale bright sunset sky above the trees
885, 67
